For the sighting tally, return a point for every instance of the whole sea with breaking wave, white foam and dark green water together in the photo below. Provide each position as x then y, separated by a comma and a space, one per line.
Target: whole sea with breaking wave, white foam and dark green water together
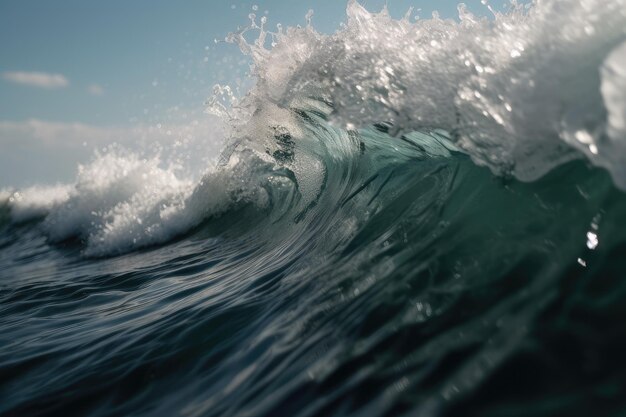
408, 218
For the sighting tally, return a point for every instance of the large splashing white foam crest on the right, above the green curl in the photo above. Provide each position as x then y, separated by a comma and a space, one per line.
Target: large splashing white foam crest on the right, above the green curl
520, 90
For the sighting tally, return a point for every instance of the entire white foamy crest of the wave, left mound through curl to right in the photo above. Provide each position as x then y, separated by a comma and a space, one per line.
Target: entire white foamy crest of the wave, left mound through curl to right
521, 92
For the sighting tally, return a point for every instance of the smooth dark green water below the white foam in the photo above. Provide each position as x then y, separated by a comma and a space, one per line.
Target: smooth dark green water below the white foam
405, 280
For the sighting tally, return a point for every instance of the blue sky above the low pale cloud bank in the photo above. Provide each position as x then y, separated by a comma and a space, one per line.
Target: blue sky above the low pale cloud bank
122, 63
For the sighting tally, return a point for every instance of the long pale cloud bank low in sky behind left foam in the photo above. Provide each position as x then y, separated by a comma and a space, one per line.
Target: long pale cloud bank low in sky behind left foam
42, 152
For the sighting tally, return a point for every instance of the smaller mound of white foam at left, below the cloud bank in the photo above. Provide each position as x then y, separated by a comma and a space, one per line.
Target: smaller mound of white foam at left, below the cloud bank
121, 201
